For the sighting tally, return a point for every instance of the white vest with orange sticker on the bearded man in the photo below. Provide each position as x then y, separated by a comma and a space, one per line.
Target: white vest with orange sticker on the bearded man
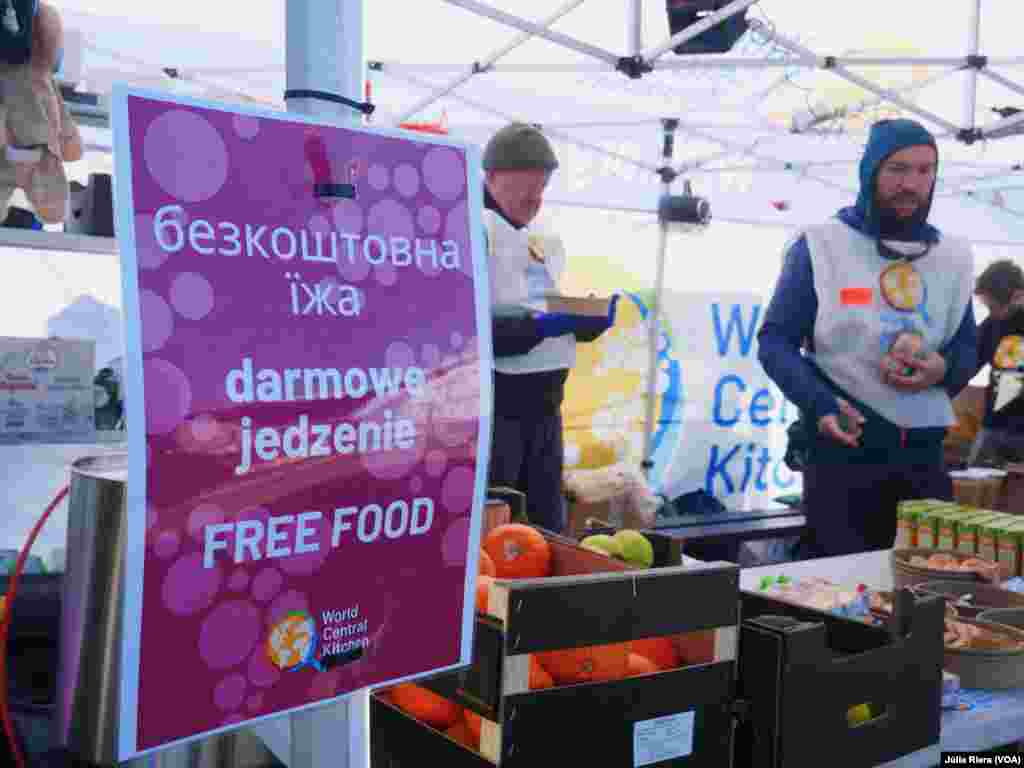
852, 336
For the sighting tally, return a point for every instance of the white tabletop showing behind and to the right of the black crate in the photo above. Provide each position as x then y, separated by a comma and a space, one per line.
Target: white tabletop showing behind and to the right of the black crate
998, 717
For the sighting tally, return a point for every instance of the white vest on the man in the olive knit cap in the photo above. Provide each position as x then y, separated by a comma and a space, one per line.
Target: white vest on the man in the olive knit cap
521, 280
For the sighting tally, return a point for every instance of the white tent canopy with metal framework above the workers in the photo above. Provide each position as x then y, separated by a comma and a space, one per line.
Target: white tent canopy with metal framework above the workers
738, 112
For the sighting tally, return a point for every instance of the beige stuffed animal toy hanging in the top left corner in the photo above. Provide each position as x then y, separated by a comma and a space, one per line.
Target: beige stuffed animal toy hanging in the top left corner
37, 134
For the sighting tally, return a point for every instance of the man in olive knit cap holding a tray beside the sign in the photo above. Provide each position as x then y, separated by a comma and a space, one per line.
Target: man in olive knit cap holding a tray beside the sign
534, 349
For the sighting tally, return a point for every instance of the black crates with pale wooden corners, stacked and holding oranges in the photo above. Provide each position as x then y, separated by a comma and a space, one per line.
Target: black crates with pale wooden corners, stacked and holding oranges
593, 601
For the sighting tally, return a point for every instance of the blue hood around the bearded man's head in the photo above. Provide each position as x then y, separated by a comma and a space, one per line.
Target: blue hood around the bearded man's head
887, 138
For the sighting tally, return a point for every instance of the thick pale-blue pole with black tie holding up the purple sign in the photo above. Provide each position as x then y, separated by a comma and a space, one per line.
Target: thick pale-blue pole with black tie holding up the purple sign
324, 53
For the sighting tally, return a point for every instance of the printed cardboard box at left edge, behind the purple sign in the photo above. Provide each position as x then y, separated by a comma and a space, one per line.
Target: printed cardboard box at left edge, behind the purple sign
47, 391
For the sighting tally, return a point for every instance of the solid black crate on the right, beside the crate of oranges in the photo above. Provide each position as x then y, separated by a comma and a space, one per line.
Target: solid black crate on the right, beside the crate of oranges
801, 671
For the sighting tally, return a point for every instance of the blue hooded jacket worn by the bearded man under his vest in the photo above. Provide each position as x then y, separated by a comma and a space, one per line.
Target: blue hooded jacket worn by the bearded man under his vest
794, 308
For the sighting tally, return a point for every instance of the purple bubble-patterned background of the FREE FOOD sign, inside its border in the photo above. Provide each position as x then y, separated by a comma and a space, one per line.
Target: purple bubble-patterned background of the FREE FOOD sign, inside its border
223, 288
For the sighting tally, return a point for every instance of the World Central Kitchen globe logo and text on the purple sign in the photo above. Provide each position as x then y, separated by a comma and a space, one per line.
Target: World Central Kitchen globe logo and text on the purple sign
295, 643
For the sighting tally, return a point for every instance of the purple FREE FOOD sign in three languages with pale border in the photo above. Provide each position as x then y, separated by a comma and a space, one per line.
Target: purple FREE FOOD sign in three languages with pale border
309, 386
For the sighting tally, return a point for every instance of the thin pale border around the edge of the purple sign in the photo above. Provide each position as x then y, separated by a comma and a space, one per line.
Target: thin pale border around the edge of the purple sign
127, 739
